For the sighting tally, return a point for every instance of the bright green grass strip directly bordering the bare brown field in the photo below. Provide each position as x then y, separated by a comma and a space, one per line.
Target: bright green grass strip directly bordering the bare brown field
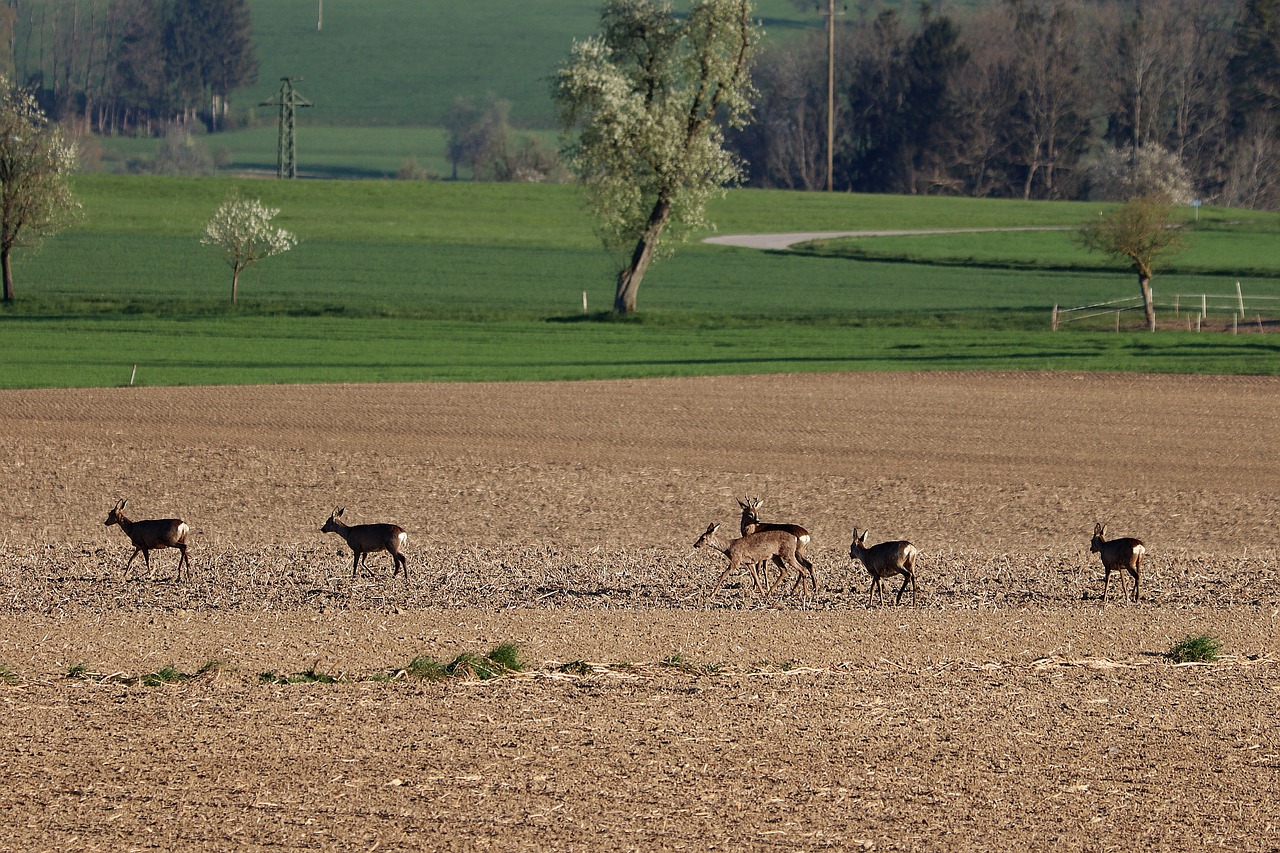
308, 350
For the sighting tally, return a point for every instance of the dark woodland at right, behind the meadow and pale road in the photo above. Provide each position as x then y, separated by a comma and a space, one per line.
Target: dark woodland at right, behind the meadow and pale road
1027, 99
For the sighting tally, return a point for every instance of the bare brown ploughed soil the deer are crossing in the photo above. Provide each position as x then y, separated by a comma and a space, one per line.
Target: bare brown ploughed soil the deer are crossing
1011, 710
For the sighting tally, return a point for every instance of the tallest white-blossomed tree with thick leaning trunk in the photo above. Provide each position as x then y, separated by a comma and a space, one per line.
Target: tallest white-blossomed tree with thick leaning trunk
643, 107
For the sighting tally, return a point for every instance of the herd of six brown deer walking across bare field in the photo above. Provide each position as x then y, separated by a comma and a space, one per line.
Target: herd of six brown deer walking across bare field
761, 549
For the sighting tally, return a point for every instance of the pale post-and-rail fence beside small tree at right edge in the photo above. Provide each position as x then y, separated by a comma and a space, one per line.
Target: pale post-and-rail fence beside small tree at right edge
1197, 311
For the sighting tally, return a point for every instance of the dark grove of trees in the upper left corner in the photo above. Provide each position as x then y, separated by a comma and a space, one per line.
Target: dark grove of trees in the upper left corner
130, 66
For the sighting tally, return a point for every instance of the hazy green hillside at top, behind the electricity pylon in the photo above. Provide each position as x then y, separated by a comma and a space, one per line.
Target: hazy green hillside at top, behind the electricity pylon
404, 62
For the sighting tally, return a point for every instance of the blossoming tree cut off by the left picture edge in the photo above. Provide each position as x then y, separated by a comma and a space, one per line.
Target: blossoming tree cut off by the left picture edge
35, 166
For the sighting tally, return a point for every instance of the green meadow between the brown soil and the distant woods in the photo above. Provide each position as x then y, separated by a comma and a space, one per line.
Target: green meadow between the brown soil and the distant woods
408, 281
